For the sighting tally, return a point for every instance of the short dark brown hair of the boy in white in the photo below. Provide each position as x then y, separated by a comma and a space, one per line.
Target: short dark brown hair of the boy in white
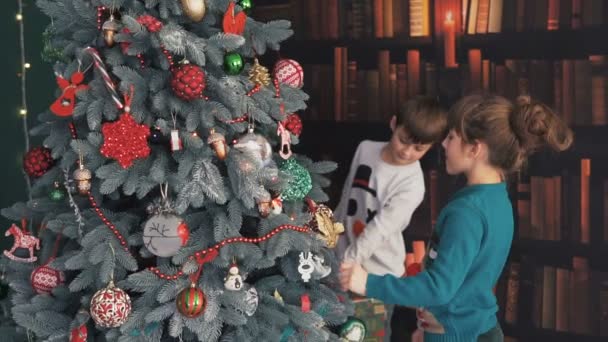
424, 120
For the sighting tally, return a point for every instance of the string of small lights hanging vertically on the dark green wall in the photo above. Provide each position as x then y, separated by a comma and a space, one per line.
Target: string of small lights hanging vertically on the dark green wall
24, 66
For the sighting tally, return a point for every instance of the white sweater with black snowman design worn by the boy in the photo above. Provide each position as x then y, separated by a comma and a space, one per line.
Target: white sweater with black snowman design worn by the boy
377, 203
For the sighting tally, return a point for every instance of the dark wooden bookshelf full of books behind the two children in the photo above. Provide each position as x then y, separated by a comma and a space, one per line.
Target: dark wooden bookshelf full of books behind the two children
524, 40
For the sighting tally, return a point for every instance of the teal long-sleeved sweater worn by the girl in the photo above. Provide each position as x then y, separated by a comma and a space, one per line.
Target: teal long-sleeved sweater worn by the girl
465, 258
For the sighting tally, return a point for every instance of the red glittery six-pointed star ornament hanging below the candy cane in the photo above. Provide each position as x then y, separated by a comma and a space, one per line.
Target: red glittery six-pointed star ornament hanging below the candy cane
125, 140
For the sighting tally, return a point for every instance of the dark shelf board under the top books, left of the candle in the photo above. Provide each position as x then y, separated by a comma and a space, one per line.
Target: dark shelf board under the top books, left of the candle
365, 50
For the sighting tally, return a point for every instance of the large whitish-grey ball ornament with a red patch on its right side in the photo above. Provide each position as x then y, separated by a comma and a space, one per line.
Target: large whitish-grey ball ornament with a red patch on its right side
165, 234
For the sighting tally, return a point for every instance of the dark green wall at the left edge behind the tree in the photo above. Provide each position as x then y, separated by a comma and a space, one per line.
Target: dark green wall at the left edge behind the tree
40, 89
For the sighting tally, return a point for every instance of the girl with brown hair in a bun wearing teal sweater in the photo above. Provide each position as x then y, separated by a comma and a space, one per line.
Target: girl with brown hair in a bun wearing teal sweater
489, 137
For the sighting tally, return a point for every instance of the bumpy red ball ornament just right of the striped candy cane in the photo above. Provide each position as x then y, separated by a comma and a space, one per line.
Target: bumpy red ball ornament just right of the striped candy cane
188, 82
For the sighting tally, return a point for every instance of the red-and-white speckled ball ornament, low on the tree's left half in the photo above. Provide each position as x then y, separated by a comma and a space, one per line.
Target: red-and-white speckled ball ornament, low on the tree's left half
110, 307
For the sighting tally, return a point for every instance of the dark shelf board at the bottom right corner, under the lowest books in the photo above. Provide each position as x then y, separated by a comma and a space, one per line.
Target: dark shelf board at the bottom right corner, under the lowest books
524, 334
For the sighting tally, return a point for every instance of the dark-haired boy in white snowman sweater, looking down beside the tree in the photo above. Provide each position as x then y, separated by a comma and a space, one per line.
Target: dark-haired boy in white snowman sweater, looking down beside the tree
384, 187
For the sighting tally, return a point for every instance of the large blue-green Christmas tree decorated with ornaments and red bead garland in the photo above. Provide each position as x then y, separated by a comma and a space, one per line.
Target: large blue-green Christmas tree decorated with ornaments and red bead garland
167, 203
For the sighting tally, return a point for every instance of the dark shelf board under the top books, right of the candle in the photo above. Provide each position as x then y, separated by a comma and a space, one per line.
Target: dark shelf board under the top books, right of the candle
562, 44
